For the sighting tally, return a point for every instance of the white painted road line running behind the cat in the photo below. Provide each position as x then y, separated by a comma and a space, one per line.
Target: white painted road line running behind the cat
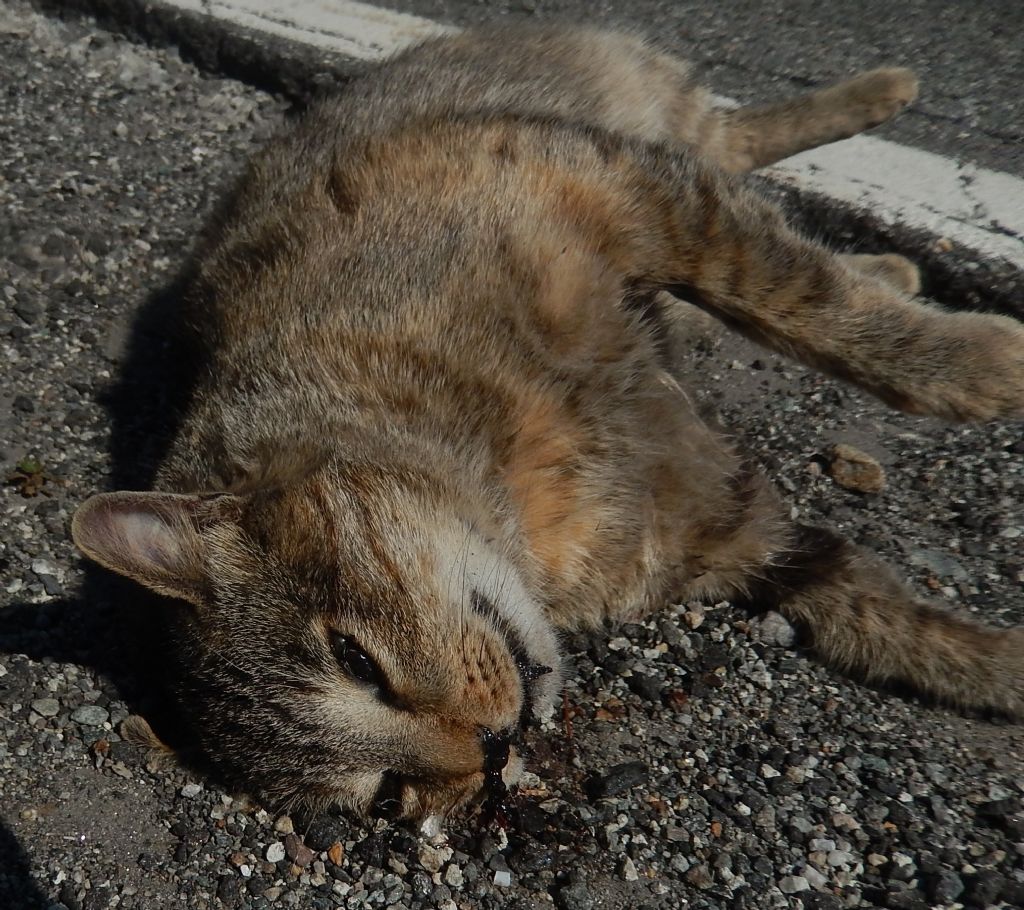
972, 207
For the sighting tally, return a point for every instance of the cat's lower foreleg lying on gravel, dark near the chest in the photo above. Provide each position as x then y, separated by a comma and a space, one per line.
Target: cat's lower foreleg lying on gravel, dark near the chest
861, 619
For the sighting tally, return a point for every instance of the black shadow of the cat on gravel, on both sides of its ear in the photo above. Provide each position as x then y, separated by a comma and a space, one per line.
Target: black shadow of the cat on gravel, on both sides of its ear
115, 627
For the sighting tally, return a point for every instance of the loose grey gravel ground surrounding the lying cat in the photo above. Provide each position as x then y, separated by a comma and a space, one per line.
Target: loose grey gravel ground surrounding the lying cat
699, 759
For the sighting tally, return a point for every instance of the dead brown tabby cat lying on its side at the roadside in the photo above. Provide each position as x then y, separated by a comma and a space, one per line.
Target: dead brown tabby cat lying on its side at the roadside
439, 420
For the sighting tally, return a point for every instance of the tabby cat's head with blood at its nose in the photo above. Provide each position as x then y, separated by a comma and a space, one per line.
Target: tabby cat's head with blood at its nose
345, 642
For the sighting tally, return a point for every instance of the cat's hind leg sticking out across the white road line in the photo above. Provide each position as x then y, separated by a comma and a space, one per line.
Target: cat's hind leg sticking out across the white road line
754, 137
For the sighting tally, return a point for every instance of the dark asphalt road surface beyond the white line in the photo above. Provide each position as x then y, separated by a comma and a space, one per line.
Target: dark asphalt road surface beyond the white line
969, 56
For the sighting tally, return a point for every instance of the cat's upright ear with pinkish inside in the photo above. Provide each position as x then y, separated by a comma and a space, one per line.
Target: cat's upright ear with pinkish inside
156, 539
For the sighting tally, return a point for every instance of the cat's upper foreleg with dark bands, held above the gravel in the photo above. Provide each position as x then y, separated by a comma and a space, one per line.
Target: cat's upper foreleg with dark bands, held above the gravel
711, 241
